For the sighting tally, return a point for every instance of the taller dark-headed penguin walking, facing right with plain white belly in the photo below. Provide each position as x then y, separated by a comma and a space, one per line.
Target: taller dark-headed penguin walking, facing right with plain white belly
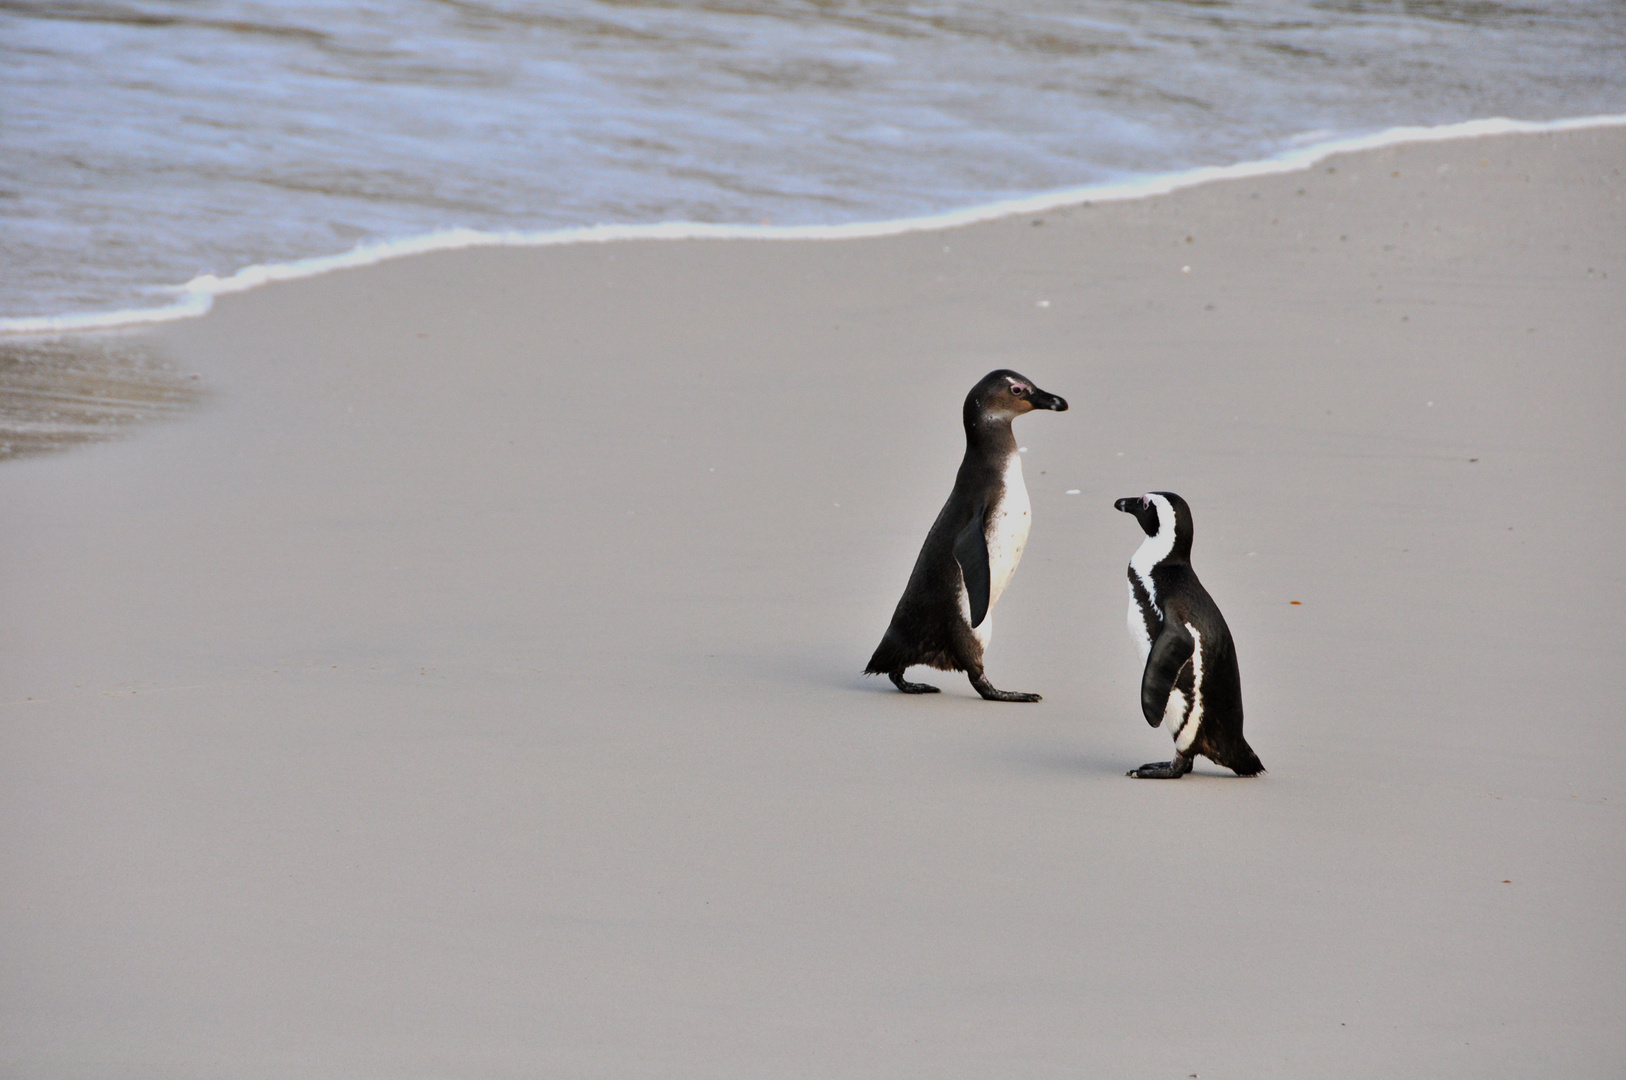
946, 616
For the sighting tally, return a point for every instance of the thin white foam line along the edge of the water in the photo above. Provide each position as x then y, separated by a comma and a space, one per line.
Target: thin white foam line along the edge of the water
198, 297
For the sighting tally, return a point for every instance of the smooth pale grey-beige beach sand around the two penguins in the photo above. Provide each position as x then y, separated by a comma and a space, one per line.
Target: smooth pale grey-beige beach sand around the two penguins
472, 687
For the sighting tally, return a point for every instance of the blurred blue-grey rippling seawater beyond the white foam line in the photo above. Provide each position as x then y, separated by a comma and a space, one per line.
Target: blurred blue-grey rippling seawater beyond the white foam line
146, 142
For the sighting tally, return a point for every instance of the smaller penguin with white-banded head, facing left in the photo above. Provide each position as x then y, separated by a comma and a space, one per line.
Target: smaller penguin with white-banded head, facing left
1191, 677
